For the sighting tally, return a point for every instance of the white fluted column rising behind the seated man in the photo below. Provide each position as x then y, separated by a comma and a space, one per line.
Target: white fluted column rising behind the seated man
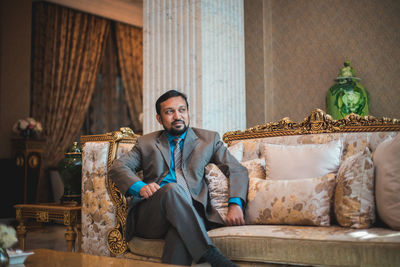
196, 47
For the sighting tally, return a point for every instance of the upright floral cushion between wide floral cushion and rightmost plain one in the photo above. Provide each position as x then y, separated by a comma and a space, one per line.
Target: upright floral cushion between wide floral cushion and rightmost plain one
354, 194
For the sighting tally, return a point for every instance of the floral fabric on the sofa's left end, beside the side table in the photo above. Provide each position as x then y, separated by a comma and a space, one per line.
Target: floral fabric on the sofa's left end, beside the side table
98, 210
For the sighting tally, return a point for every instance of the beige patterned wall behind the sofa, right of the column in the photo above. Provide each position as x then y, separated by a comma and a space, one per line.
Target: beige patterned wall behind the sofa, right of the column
295, 49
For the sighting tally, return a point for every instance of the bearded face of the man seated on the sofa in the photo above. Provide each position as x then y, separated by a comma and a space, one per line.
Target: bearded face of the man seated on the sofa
174, 116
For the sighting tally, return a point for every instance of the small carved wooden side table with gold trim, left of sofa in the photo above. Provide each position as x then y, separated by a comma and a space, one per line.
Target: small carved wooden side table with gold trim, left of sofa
70, 216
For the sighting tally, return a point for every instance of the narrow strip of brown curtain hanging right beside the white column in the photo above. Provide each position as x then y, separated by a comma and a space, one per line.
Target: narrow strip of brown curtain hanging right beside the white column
129, 42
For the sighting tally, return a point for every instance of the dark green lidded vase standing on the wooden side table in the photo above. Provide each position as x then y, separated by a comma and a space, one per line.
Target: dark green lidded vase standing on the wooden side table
70, 169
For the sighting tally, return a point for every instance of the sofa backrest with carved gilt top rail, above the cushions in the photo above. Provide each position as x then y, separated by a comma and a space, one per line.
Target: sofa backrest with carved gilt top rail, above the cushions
354, 131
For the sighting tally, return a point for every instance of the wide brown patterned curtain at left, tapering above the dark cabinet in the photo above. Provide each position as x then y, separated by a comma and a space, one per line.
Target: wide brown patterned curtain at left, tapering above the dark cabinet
67, 49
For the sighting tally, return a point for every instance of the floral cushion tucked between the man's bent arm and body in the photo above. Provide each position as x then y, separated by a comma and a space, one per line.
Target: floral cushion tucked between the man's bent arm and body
218, 188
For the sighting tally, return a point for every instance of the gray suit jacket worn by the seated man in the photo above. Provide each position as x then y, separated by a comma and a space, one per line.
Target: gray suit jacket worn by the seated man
152, 155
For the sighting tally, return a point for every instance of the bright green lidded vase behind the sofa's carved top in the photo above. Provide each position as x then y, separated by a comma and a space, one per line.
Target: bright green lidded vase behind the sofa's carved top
347, 95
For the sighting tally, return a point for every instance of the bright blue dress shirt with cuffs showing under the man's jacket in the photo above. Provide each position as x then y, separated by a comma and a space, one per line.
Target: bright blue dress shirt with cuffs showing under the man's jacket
170, 177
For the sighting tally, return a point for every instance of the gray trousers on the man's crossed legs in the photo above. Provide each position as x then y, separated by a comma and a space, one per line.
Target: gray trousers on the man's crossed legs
169, 215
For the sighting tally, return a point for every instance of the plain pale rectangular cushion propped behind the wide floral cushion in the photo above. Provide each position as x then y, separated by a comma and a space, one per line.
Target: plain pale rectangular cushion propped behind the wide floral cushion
301, 161
